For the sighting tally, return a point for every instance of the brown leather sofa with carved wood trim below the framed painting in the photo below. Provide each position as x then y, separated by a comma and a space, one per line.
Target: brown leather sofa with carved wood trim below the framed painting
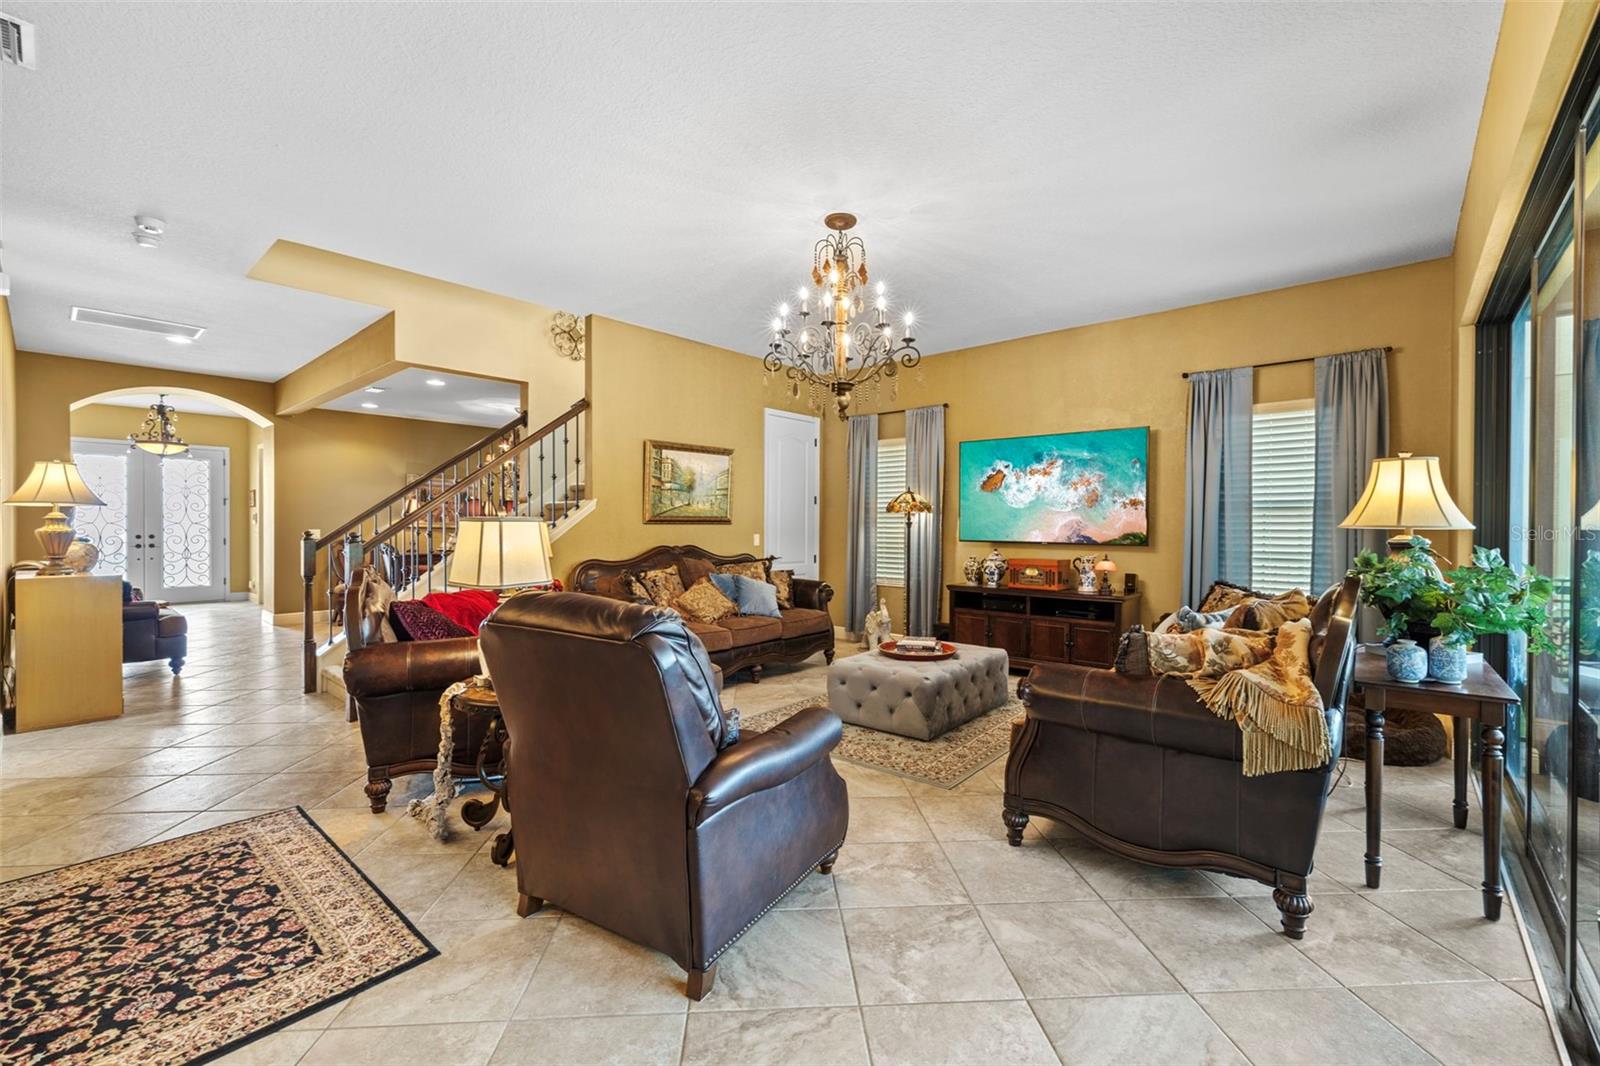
734, 644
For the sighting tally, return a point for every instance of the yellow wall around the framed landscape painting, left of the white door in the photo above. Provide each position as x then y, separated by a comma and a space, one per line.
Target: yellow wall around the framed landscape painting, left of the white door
647, 385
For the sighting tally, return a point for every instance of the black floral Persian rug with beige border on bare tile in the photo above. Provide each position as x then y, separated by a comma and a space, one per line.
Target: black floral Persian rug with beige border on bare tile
185, 950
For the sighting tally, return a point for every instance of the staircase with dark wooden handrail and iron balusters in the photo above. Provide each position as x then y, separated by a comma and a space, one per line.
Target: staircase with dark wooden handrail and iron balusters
412, 532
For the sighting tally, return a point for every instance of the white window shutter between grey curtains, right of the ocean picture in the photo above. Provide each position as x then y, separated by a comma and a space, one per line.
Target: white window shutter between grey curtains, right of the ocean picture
1284, 489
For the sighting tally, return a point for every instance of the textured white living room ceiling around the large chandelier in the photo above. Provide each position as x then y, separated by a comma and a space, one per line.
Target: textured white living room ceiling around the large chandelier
1017, 167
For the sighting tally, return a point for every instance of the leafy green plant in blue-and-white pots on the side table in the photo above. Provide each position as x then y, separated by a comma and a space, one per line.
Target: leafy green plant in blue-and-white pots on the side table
1458, 606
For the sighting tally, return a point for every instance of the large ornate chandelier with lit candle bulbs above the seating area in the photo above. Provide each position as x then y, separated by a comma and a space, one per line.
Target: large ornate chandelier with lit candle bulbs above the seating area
849, 347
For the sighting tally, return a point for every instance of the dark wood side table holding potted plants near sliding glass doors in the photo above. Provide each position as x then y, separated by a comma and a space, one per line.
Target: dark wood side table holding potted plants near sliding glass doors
1482, 699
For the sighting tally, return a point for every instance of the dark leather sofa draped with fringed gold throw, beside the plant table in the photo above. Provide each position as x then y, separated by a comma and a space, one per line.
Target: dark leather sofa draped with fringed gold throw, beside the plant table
1143, 769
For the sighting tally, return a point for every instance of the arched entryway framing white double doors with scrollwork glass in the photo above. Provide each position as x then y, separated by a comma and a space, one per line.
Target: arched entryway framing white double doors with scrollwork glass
191, 527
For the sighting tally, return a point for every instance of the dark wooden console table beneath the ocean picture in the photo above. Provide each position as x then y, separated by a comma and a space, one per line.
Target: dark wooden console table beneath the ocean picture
1042, 625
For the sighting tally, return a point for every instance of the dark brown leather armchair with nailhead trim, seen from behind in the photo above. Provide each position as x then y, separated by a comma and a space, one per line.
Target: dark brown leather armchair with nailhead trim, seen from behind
625, 811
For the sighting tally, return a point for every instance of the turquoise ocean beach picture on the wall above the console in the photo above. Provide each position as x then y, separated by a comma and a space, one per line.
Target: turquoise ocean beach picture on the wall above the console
1058, 489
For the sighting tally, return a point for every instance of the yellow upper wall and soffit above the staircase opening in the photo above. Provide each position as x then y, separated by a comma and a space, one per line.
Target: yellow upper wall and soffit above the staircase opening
434, 324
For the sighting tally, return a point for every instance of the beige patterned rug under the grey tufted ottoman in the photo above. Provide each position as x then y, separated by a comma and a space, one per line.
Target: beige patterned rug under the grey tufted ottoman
945, 761
